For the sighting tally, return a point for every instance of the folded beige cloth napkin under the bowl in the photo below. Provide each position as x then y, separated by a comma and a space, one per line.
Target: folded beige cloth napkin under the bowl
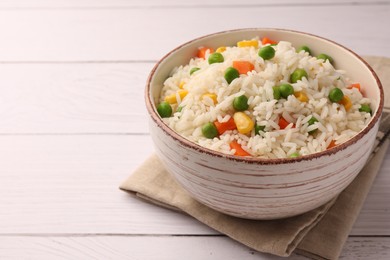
320, 233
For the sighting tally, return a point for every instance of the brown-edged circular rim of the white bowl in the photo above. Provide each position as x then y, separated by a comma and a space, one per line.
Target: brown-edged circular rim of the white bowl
255, 160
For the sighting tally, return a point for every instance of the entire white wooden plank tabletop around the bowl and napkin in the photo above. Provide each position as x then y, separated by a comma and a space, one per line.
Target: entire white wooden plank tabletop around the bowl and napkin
73, 124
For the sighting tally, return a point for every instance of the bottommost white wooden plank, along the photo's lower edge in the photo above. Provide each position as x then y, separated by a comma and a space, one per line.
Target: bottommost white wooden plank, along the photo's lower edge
163, 247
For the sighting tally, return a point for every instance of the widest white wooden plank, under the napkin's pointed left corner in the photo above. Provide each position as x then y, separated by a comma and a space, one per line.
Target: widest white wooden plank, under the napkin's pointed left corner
69, 184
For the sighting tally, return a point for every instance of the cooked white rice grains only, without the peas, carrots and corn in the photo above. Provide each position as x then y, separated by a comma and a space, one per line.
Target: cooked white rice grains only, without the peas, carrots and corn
334, 122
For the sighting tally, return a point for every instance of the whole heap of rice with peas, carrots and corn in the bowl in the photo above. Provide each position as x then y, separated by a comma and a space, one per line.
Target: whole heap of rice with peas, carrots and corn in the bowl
263, 99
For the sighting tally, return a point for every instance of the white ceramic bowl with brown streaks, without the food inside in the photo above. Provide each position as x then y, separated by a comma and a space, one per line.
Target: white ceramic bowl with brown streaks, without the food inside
260, 188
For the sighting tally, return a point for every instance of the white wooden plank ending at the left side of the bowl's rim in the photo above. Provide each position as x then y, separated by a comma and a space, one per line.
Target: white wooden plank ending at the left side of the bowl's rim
73, 98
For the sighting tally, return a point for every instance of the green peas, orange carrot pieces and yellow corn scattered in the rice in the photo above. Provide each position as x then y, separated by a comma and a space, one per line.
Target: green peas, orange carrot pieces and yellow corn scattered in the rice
241, 118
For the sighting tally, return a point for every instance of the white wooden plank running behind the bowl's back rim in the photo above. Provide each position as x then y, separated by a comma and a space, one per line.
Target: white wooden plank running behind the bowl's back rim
129, 34
